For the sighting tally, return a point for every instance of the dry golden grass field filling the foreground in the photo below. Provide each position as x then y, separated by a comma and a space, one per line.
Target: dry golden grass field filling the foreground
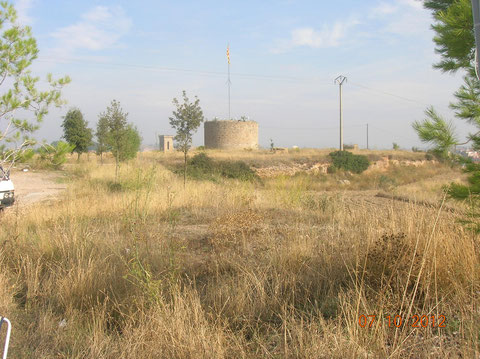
282, 267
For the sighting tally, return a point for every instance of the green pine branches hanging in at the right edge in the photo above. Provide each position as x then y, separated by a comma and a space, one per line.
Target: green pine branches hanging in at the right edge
455, 42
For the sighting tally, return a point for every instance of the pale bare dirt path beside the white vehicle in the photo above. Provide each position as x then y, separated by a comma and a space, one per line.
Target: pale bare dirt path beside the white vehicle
33, 186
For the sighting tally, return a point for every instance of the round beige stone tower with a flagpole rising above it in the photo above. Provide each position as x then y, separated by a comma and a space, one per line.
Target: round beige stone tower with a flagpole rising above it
231, 134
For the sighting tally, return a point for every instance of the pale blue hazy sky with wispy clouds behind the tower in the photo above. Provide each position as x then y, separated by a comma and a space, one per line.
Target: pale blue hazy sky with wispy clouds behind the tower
284, 55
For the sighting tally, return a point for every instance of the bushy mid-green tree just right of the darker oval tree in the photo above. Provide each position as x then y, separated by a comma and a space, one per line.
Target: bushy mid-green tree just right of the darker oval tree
122, 138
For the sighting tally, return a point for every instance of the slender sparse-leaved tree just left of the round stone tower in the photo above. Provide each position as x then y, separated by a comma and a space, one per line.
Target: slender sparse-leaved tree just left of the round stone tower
186, 120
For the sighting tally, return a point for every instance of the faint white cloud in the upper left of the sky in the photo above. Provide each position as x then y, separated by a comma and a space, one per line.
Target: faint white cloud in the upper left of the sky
99, 29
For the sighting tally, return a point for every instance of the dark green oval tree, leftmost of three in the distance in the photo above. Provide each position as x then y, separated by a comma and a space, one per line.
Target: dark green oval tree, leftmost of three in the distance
76, 131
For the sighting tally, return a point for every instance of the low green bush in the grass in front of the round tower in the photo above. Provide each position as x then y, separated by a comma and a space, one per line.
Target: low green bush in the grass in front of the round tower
203, 167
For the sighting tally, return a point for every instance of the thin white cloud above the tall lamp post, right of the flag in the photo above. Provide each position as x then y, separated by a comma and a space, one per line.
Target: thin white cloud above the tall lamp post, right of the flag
328, 36
